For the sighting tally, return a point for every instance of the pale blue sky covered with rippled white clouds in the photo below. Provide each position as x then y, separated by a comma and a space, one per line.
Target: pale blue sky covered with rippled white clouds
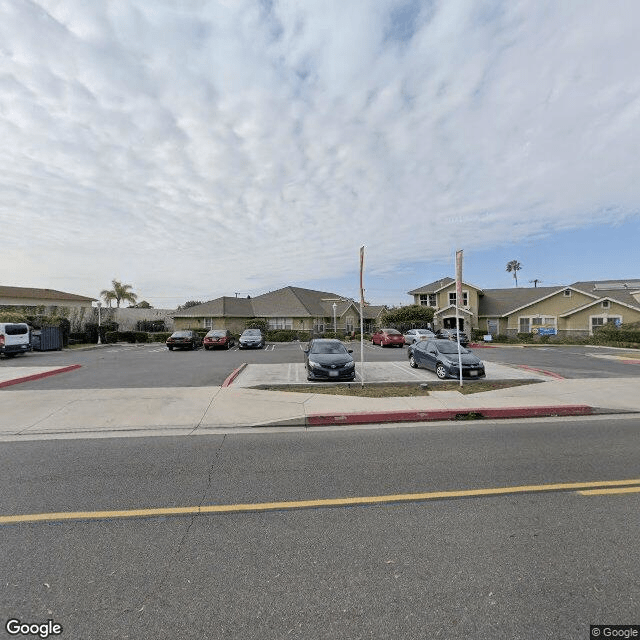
196, 149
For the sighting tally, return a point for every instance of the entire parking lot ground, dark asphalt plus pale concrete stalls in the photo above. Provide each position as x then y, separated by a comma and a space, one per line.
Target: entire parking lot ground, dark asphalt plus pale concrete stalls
153, 365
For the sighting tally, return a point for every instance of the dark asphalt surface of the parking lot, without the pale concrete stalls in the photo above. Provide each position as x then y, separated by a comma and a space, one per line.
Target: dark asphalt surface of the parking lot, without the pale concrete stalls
152, 365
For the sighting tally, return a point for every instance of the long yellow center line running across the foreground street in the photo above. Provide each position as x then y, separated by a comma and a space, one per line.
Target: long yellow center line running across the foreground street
585, 488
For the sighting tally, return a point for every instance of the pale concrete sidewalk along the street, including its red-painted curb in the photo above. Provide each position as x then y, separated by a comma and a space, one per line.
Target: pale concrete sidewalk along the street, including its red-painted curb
191, 410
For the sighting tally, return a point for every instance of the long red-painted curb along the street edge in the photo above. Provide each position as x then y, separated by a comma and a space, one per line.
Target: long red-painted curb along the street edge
323, 419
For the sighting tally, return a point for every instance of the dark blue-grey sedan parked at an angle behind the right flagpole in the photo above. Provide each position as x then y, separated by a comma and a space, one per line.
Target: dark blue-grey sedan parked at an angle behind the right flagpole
441, 356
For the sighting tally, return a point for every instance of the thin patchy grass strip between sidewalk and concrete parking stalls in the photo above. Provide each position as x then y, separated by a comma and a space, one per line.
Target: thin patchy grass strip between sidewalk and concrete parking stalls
398, 390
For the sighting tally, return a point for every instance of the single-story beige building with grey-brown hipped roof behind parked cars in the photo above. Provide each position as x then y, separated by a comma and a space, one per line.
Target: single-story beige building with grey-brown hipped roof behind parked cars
292, 308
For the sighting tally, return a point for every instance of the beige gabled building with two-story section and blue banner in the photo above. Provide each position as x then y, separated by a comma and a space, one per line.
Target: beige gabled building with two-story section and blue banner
577, 309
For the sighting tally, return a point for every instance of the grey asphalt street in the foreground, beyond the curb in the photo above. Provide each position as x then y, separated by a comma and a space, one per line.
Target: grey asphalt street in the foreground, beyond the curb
543, 563
